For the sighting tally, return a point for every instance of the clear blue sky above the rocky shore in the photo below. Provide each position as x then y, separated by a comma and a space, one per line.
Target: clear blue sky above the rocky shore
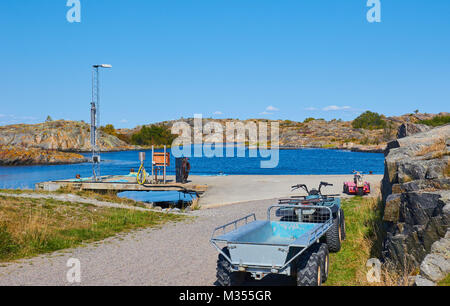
288, 59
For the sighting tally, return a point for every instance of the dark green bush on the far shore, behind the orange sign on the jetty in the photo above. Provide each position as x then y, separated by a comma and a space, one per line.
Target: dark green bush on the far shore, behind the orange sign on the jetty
153, 135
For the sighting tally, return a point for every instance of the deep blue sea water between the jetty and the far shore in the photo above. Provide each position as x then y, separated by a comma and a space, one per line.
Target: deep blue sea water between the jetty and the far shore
298, 161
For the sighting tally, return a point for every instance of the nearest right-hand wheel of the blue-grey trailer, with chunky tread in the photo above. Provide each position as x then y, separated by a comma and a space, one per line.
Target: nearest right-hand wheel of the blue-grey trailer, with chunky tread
309, 271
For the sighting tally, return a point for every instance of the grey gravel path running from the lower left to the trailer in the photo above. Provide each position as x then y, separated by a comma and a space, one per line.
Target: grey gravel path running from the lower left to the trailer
176, 254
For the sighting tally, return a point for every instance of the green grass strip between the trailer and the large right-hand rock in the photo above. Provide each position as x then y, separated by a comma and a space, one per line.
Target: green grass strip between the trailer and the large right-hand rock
363, 241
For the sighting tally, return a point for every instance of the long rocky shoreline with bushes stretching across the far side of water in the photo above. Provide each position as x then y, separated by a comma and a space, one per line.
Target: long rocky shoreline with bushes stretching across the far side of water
59, 142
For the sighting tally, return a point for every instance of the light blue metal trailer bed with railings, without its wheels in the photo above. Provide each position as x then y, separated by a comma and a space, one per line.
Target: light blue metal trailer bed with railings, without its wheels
262, 247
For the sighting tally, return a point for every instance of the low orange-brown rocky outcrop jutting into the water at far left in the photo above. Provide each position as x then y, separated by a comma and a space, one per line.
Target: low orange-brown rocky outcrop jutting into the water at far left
14, 156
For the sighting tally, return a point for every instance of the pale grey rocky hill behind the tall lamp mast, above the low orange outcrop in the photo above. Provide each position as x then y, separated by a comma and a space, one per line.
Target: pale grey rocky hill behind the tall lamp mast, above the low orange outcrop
68, 136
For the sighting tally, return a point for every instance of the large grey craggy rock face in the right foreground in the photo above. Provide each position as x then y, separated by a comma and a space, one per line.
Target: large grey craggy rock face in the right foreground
416, 194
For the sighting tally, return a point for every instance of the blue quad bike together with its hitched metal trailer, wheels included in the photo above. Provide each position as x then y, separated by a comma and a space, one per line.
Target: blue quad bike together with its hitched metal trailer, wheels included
296, 245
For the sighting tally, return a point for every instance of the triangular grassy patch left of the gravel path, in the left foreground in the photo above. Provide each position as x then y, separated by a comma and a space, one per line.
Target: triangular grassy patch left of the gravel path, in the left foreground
29, 227
